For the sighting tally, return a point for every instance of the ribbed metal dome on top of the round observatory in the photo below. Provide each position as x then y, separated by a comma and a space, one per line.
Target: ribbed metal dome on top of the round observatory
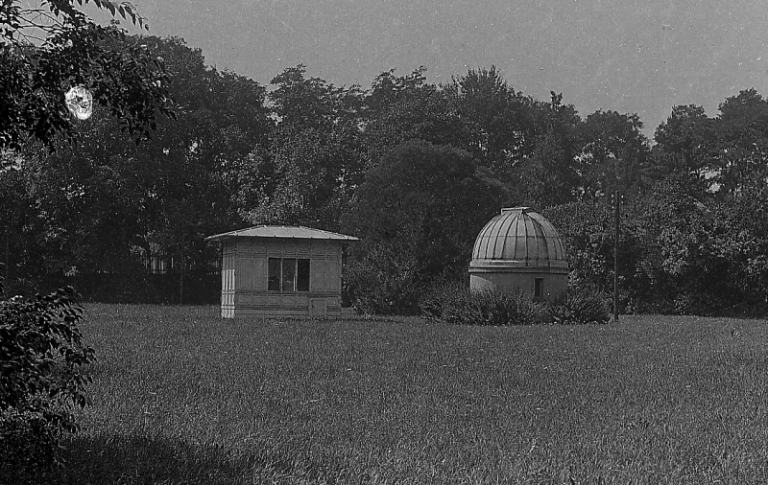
519, 238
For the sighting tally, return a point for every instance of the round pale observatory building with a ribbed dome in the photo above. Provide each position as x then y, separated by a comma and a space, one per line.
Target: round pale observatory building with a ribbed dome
519, 251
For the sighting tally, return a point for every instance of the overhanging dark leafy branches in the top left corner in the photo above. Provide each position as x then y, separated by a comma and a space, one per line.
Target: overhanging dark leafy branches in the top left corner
45, 51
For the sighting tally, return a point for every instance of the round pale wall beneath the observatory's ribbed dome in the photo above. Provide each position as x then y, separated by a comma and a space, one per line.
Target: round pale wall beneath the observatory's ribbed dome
553, 285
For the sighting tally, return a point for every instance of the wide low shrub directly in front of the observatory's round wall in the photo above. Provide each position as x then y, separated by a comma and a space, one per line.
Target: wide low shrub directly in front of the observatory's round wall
455, 304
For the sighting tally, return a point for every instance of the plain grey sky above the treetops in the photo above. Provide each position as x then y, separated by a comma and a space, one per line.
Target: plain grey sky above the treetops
631, 56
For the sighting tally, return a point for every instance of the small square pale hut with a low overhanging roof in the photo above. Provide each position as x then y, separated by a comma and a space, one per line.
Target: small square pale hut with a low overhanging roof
288, 271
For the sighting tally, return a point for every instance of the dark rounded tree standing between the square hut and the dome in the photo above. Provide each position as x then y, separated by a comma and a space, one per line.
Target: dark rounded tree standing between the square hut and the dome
417, 214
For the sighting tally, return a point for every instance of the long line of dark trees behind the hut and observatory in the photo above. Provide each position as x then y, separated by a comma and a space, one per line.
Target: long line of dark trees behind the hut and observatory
413, 168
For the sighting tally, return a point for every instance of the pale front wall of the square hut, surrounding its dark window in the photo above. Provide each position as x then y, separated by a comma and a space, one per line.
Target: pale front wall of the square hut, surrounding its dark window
252, 296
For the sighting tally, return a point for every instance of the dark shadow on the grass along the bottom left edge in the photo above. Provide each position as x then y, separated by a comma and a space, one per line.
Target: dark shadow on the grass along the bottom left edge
146, 460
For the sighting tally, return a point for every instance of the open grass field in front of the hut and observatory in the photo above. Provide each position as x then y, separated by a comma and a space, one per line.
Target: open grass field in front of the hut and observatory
180, 396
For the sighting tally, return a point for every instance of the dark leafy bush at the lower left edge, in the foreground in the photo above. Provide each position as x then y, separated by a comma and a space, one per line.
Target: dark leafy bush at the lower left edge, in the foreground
41, 383
